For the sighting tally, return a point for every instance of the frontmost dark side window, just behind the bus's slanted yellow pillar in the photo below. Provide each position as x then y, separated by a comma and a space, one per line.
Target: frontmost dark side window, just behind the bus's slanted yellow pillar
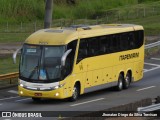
82, 52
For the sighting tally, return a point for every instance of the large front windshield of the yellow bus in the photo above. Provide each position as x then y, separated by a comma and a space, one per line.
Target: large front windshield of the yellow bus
41, 63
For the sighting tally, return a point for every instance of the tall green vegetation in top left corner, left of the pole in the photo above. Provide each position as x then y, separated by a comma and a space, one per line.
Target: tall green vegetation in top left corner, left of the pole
21, 10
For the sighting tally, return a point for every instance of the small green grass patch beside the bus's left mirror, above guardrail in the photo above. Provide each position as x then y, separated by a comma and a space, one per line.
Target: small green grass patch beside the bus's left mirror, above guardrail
7, 66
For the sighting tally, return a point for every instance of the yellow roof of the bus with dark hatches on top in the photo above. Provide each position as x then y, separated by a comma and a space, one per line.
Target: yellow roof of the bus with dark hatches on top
62, 36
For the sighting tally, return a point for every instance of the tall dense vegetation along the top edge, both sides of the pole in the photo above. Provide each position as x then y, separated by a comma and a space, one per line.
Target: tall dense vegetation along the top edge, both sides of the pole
31, 10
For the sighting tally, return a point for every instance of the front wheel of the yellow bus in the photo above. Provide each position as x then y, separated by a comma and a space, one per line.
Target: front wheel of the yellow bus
75, 93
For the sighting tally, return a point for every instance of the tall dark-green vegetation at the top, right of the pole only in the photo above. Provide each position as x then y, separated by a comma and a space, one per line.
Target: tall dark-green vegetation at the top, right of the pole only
88, 8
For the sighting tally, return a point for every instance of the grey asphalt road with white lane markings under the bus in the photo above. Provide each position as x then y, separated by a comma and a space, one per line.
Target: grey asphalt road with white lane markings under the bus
148, 87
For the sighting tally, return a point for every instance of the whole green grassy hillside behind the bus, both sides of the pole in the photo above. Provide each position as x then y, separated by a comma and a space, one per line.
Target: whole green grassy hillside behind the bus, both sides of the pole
19, 25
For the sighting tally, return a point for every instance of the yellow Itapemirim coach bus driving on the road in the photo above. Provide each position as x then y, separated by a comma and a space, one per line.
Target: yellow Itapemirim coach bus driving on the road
64, 63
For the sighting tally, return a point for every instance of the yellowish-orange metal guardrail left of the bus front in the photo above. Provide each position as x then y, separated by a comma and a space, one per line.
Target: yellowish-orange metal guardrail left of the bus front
9, 76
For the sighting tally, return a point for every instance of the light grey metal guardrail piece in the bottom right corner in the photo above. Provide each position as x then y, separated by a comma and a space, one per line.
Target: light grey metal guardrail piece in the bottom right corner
149, 108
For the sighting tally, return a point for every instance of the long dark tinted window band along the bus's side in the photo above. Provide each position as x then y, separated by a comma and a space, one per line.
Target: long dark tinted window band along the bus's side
110, 44
